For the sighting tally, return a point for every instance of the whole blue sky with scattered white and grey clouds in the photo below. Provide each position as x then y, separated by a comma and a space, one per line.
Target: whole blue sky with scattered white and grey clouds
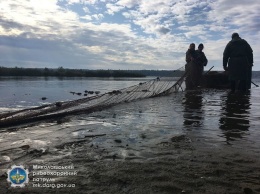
122, 34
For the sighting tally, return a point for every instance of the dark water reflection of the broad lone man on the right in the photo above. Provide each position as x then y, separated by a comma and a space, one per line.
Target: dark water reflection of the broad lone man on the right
235, 112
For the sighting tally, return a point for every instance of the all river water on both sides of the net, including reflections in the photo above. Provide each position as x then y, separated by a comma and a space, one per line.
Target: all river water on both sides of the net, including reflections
214, 117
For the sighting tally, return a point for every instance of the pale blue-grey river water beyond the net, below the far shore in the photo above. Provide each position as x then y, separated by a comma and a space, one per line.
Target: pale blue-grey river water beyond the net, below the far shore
23, 92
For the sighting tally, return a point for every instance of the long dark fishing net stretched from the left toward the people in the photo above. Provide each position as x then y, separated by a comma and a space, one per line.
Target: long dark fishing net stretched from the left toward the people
152, 88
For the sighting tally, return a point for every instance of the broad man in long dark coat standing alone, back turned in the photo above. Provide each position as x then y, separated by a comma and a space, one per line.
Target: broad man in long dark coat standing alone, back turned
239, 56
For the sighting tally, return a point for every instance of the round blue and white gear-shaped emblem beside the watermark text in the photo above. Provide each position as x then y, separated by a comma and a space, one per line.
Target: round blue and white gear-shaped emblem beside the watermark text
18, 176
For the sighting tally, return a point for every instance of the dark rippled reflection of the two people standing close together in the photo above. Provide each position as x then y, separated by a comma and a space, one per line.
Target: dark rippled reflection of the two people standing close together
193, 113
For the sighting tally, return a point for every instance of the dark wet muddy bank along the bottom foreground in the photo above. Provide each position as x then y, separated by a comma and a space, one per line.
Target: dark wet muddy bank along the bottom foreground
179, 165
